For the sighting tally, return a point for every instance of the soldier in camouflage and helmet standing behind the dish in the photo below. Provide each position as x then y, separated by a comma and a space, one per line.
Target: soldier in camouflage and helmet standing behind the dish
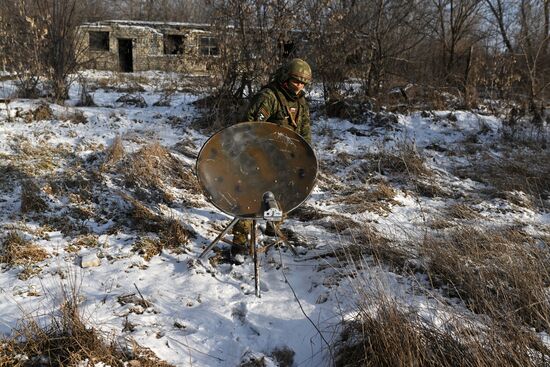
282, 102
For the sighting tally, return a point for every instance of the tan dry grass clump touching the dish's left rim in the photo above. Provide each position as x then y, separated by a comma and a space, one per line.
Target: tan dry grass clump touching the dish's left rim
153, 167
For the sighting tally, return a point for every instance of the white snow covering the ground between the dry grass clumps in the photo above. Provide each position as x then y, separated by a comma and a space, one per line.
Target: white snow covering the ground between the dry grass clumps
205, 315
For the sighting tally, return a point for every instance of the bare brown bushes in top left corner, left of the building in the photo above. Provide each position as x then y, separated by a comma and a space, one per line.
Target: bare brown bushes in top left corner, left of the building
41, 43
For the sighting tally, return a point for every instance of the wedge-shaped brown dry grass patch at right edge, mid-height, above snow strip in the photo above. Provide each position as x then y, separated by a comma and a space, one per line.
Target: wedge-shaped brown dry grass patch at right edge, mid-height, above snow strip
522, 170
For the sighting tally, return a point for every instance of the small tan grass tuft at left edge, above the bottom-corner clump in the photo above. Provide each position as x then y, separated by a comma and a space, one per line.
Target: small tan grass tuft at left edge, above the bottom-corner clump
15, 250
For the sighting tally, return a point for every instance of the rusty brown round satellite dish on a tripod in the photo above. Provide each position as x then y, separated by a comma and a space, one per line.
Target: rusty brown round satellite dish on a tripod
242, 162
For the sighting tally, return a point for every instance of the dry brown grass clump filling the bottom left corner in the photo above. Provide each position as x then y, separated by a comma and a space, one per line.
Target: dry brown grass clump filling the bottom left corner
67, 341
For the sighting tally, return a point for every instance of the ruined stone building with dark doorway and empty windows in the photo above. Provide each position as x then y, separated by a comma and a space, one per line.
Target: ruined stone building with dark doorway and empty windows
129, 46
